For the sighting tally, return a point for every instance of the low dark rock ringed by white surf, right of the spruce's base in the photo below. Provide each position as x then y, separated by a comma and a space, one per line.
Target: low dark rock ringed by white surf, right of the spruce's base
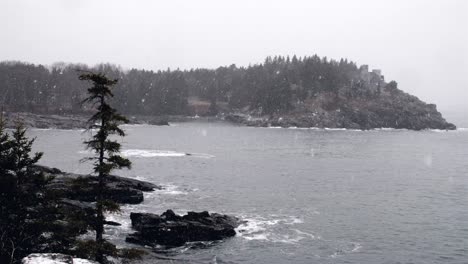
170, 229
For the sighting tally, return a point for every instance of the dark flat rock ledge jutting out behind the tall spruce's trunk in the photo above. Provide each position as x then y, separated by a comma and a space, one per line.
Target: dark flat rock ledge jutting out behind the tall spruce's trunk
81, 187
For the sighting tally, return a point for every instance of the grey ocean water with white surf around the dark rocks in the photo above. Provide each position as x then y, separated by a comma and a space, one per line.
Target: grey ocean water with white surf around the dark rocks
309, 195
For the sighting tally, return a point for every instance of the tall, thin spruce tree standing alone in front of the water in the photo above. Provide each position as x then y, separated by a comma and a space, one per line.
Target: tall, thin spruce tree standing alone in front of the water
106, 123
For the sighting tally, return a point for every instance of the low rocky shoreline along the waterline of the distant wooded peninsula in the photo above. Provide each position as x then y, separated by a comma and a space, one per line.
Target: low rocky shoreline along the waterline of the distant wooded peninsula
347, 117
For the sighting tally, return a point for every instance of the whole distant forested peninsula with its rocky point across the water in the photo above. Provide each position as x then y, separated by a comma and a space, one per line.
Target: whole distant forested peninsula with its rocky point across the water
282, 91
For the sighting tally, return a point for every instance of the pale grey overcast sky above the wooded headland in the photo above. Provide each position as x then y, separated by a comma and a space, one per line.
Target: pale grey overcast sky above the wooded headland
422, 44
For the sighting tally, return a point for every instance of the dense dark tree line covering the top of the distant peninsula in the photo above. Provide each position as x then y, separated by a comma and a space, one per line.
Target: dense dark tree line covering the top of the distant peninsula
277, 84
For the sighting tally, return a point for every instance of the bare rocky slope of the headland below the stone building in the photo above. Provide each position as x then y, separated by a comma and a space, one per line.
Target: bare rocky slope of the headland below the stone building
391, 108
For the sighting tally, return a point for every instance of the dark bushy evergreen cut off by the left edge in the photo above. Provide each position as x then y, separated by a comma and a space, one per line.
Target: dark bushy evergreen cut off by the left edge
23, 198
